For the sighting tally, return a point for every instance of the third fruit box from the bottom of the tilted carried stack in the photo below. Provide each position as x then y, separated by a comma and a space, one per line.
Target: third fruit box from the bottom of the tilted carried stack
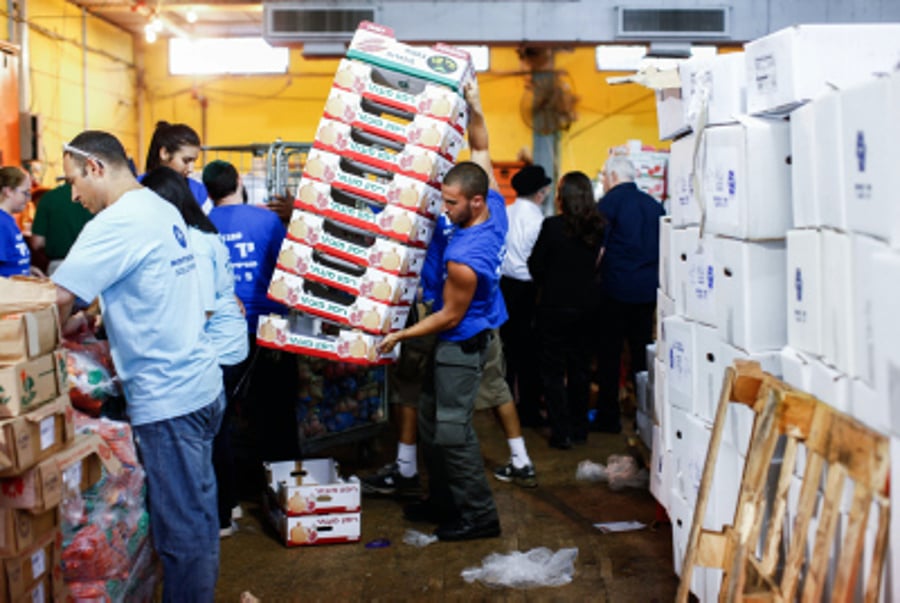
371, 283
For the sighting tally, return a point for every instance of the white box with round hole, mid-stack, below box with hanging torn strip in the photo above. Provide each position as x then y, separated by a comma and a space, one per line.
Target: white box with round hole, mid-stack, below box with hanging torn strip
750, 309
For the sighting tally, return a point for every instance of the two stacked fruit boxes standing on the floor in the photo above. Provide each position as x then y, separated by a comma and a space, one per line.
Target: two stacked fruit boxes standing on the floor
310, 503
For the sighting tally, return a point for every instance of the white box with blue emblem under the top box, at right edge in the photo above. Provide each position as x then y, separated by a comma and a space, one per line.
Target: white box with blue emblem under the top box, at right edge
869, 155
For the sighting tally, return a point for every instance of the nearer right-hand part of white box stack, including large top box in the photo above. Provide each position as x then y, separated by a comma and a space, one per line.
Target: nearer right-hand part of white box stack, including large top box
841, 272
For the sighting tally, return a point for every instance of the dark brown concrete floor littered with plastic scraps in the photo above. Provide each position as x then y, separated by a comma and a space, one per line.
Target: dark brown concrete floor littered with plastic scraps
559, 513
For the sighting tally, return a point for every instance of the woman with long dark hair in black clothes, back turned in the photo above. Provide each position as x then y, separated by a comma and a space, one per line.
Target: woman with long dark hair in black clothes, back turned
563, 265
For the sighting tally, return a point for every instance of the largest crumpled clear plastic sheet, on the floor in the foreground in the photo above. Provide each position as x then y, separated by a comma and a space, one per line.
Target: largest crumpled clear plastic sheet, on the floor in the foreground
538, 567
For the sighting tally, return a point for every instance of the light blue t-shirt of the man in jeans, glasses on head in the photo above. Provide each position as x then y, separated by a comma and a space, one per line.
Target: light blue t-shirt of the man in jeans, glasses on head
136, 256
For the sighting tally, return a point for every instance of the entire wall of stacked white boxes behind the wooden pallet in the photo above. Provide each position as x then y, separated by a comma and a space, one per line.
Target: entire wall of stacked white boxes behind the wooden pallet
777, 249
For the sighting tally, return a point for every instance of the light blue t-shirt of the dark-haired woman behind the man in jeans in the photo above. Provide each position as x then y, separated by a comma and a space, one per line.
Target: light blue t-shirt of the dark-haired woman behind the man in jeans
227, 328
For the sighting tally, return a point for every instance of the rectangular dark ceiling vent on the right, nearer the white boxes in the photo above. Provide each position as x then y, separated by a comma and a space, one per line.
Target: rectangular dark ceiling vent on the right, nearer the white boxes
692, 23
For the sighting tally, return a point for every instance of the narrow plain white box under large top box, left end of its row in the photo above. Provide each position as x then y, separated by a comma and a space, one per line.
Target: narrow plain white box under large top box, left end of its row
804, 164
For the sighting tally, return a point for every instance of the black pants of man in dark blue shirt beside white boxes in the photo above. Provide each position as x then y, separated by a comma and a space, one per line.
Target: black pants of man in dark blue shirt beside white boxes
618, 322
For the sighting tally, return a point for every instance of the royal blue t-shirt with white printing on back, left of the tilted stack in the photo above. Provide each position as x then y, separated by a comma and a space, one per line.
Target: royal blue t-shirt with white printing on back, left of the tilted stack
253, 236
